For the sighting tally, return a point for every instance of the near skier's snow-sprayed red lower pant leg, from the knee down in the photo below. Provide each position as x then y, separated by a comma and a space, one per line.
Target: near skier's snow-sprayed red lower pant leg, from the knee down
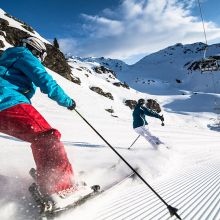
54, 170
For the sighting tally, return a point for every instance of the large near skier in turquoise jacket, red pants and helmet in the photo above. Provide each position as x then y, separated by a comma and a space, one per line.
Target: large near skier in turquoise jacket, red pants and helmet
21, 72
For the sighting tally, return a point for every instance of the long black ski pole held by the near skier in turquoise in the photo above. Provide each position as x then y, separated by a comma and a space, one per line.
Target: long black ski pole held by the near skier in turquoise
172, 210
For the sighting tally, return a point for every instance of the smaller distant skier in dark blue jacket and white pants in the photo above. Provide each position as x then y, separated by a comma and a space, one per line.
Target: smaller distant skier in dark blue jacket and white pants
139, 122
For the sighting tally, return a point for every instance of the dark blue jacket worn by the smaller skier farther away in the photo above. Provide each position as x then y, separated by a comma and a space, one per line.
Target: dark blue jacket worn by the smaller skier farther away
139, 115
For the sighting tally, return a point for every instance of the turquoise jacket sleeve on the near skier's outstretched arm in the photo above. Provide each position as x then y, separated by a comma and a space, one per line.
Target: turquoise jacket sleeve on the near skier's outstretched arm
36, 72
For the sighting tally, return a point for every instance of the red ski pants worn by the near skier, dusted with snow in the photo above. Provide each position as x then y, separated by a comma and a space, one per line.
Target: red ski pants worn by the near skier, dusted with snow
54, 171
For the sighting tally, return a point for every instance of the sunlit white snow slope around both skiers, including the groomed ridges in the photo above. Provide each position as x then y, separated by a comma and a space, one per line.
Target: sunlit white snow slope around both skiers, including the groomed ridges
186, 176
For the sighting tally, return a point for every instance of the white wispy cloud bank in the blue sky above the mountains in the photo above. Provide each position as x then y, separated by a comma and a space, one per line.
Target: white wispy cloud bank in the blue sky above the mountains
139, 27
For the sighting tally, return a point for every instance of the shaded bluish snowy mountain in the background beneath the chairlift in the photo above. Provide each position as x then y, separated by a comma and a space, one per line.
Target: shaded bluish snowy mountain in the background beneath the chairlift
168, 68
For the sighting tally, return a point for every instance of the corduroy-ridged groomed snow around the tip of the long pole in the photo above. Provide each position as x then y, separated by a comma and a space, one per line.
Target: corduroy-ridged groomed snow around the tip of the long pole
194, 192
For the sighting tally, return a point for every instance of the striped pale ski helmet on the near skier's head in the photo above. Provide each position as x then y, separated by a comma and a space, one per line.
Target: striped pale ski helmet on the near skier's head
36, 46
